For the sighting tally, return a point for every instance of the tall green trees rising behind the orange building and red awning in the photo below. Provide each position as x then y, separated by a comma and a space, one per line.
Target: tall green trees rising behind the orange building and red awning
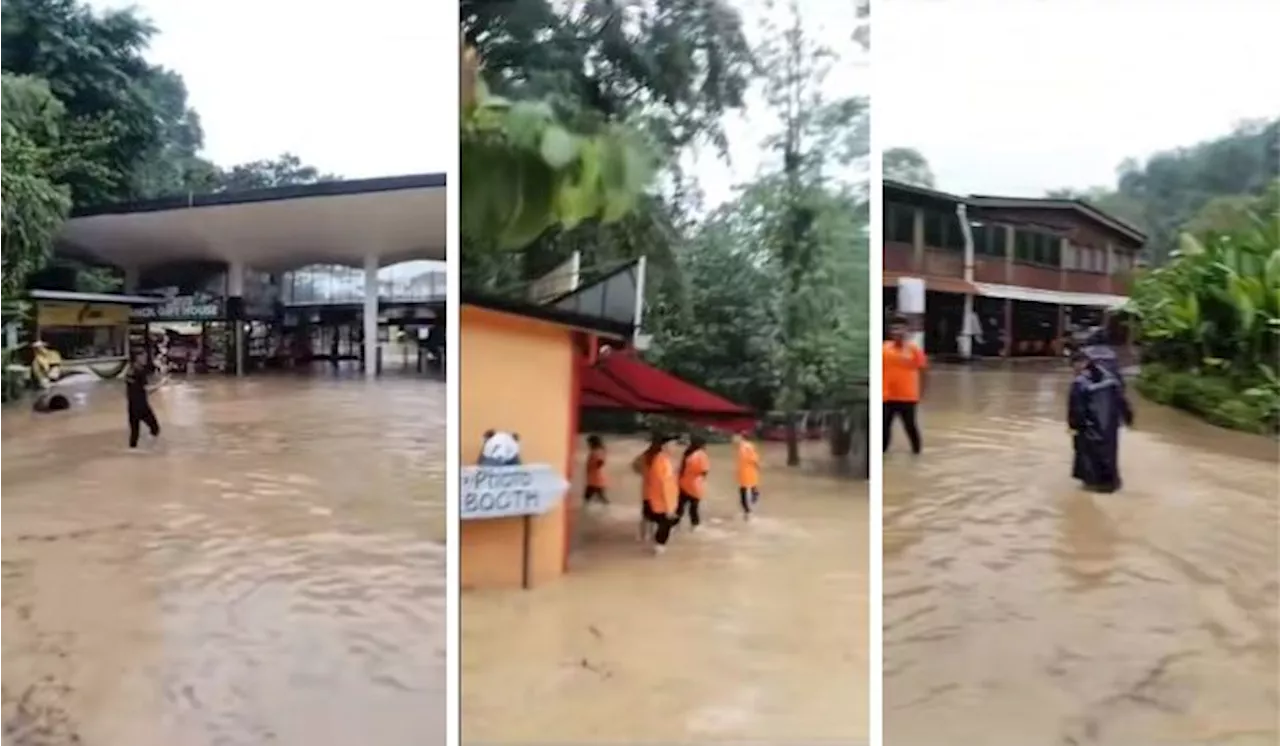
764, 299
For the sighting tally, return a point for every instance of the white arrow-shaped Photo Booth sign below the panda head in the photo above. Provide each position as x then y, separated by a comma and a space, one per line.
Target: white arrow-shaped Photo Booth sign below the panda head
504, 492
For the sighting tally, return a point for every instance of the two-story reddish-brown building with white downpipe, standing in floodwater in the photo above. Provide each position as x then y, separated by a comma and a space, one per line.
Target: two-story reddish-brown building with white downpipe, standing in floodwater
1036, 268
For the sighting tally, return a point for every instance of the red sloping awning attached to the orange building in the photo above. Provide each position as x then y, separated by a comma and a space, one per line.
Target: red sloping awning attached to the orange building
624, 382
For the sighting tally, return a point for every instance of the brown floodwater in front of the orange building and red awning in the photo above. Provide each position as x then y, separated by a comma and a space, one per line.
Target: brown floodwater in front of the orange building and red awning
739, 633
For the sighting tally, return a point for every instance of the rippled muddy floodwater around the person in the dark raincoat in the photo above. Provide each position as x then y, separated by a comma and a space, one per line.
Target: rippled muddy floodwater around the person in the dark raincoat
1021, 611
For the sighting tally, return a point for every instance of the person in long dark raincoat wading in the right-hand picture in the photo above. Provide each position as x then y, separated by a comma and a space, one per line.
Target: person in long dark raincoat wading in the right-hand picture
1096, 409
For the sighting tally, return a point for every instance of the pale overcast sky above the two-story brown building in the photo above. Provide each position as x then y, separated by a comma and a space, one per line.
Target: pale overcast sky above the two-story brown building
1018, 98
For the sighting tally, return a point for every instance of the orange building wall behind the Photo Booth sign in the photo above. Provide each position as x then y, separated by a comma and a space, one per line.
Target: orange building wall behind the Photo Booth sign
516, 376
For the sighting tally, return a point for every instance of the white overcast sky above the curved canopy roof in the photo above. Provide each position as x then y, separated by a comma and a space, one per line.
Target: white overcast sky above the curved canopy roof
358, 90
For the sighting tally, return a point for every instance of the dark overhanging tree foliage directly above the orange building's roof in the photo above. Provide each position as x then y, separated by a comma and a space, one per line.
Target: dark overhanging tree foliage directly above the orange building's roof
646, 77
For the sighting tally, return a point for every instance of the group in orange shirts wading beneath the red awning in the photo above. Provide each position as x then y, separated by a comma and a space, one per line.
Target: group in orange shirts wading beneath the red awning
668, 495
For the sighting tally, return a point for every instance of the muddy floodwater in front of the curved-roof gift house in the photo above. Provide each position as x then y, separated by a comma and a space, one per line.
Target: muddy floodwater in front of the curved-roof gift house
271, 571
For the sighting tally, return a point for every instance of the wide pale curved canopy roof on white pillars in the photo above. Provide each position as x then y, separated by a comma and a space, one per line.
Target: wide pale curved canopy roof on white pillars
276, 230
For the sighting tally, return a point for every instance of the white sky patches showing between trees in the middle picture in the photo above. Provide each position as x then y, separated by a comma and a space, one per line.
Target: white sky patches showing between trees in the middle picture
833, 24
